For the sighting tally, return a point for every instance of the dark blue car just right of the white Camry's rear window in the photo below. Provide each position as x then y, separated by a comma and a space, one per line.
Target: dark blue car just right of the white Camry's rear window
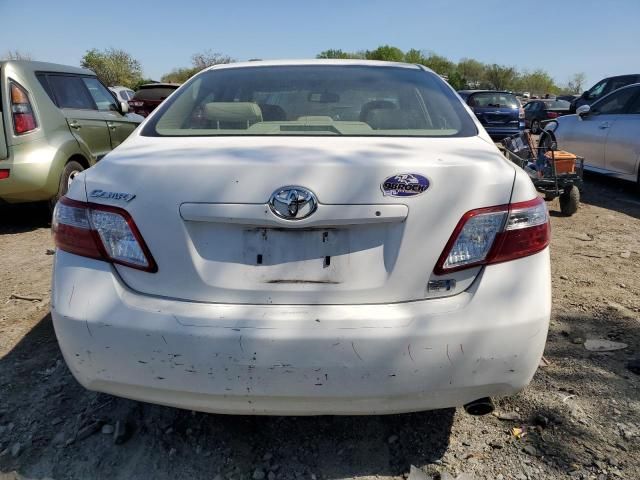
500, 113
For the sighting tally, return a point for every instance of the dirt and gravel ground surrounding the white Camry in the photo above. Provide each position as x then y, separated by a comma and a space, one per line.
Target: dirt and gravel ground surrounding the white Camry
580, 417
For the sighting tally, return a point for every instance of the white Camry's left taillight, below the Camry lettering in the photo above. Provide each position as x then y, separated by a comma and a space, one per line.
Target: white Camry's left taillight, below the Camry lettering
102, 232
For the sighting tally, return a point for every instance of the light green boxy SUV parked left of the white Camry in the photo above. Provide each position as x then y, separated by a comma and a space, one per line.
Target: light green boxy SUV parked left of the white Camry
55, 121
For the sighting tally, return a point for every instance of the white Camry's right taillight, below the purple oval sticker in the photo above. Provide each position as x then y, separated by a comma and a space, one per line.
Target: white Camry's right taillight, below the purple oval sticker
496, 234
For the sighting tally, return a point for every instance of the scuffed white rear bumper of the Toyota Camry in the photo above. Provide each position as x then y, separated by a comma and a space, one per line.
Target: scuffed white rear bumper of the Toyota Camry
303, 359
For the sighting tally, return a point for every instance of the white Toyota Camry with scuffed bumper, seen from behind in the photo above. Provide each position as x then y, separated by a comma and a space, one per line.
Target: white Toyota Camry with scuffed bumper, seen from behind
304, 237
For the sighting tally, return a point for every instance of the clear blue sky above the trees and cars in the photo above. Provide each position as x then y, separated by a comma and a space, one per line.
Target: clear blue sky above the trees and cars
562, 36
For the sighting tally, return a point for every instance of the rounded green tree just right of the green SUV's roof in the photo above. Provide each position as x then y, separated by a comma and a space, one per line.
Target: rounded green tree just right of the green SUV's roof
113, 66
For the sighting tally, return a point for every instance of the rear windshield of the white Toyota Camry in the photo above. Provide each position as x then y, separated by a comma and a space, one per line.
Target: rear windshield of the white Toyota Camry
313, 100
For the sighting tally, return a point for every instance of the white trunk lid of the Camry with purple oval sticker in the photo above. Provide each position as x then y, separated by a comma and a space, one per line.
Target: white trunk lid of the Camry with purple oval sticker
201, 205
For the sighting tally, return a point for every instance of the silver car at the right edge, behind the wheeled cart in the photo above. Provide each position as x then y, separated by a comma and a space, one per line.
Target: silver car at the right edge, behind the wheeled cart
606, 134
